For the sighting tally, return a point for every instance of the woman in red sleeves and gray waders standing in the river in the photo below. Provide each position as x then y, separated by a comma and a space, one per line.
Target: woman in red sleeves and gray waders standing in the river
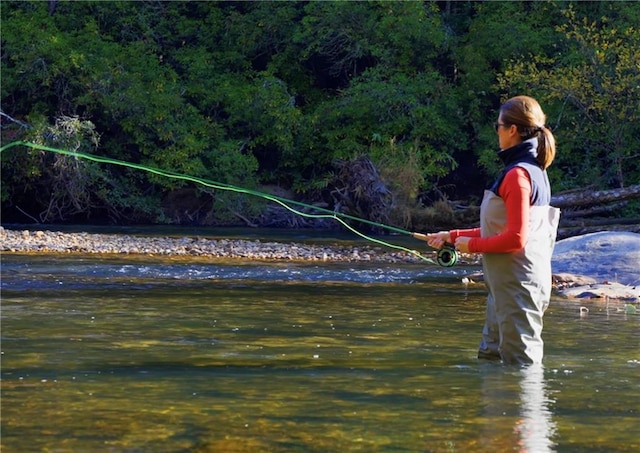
516, 236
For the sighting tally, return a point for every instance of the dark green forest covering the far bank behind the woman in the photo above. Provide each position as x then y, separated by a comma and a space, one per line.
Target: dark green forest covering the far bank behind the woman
380, 109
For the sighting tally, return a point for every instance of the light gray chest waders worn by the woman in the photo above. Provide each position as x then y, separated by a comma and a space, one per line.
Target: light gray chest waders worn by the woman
519, 284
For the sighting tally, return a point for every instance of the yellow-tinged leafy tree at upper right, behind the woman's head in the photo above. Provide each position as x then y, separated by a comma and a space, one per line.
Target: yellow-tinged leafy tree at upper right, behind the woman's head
593, 88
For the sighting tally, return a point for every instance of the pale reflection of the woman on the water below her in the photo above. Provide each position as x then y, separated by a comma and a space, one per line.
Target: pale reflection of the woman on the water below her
517, 409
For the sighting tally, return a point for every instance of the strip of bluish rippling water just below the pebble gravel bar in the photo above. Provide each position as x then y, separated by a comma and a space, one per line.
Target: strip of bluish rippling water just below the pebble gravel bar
76, 273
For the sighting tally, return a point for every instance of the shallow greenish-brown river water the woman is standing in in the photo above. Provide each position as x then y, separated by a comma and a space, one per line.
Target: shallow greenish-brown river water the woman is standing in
164, 355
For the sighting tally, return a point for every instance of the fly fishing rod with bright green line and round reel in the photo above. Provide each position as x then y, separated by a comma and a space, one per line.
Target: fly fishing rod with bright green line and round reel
446, 256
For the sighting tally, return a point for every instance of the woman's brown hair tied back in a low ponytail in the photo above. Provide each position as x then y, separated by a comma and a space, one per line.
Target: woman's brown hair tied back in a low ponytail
527, 115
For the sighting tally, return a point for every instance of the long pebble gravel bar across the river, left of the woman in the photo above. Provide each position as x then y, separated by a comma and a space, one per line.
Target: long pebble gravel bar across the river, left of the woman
25, 241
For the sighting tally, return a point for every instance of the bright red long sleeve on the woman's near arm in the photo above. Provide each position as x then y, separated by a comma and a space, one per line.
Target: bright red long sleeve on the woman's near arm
515, 190
